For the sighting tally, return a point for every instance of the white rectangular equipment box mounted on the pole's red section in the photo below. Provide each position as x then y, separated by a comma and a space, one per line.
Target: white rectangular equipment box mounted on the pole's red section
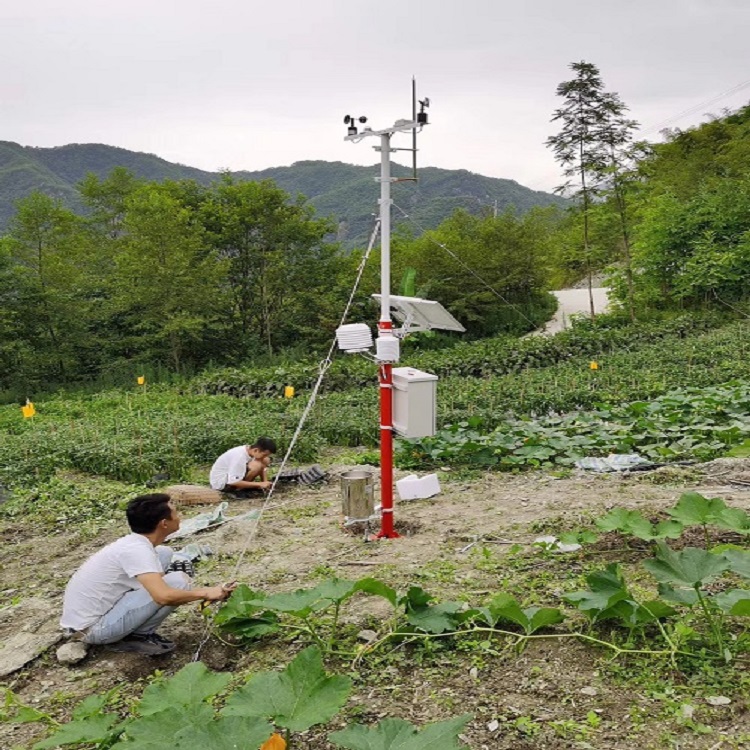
414, 400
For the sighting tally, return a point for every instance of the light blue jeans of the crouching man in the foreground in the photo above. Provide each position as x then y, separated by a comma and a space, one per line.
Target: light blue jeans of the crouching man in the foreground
137, 612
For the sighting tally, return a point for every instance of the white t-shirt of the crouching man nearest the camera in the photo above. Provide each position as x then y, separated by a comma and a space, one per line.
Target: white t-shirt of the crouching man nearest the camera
105, 578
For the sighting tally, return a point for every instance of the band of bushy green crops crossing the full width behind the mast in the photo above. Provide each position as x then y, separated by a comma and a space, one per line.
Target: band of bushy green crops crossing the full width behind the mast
130, 436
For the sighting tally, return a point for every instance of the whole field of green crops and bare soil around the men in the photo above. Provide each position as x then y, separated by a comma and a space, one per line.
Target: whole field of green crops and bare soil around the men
528, 605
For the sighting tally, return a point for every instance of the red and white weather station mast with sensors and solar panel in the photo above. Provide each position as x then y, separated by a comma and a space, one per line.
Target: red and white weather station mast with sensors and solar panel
416, 314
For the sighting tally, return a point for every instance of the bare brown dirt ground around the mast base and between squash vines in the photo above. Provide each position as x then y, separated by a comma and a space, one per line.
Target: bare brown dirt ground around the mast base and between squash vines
516, 700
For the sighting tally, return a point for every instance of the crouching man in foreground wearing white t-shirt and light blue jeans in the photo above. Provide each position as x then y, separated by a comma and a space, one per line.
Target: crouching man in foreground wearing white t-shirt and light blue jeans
122, 593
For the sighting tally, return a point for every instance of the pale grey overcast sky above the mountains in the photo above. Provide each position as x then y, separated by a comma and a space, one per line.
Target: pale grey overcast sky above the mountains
249, 84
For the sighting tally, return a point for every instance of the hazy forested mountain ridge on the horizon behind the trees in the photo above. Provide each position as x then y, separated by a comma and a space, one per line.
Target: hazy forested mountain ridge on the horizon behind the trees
345, 192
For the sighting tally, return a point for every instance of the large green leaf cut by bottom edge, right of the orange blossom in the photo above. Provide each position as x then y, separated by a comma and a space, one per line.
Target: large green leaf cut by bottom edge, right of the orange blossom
397, 734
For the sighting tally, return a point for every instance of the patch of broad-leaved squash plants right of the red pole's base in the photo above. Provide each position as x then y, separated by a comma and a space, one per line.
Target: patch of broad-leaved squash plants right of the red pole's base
689, 423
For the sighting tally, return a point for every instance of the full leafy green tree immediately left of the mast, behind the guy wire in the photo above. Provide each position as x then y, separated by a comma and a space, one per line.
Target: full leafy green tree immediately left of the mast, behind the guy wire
282, 271
